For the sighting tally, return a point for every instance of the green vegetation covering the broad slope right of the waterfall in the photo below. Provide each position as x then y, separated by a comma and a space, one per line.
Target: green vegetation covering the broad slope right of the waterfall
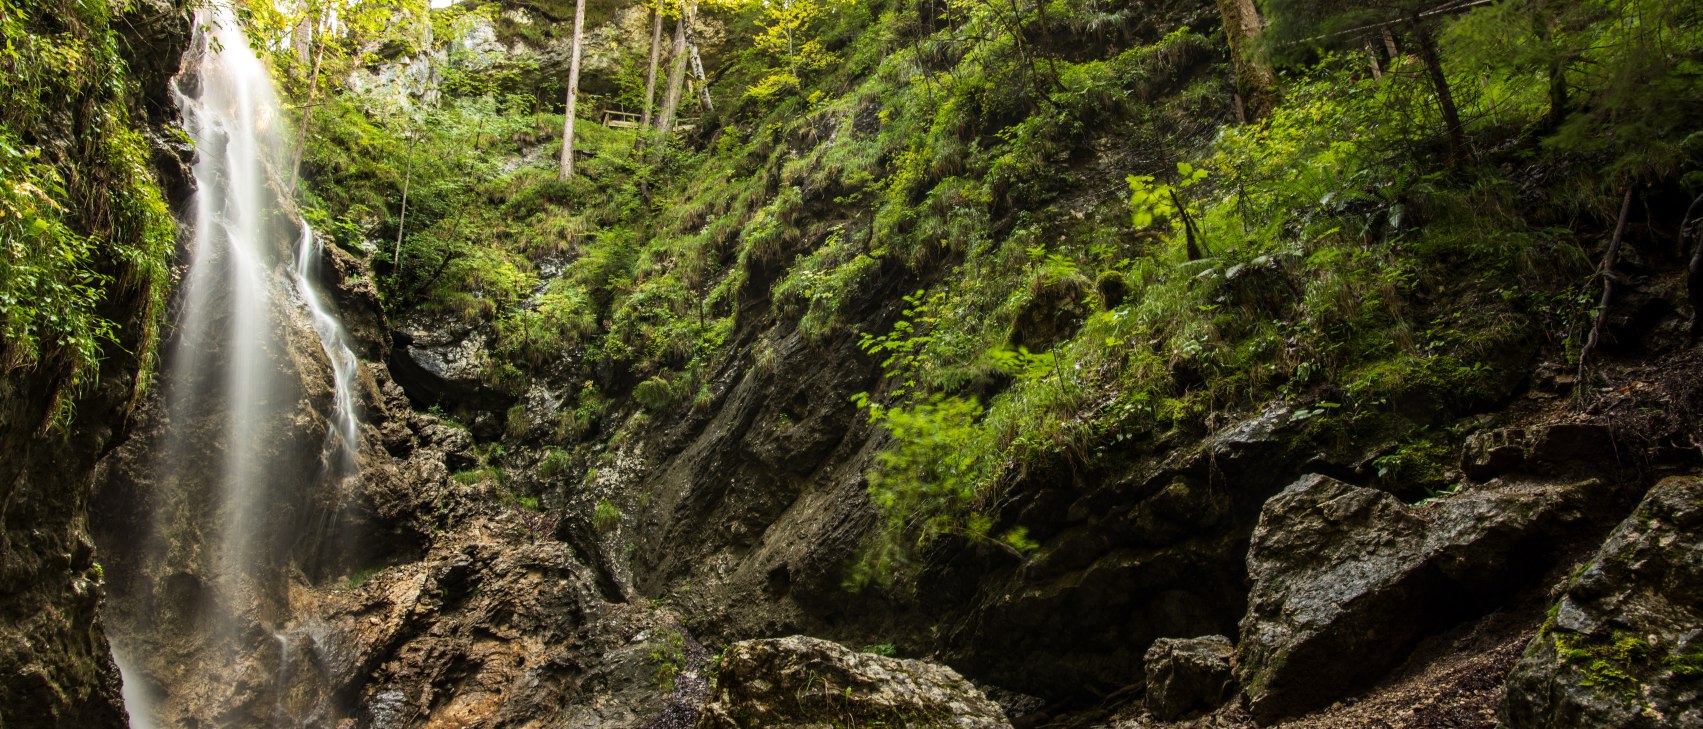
1101, 258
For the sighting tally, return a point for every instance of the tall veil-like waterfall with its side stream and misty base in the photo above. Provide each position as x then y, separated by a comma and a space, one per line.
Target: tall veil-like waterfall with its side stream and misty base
239, 503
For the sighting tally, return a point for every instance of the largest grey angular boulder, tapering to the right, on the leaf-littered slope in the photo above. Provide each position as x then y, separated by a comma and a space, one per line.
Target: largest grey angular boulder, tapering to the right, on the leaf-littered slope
1348, 580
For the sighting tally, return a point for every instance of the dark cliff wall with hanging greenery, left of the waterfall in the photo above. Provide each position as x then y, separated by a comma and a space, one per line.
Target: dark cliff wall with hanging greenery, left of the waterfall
88, 164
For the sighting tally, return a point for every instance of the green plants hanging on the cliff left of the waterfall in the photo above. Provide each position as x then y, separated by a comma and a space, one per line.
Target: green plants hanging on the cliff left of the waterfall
86, 232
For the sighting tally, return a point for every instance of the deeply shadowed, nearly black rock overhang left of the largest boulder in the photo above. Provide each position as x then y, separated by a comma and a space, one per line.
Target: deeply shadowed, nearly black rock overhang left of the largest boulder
1125, 561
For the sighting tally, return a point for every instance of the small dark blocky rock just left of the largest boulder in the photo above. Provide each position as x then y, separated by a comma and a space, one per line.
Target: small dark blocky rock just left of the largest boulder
1188, 675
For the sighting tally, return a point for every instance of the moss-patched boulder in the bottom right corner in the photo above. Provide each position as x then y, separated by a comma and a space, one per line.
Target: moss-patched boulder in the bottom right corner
1624, 648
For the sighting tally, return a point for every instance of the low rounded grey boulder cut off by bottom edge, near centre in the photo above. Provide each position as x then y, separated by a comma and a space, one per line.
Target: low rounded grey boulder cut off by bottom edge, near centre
801, 682
